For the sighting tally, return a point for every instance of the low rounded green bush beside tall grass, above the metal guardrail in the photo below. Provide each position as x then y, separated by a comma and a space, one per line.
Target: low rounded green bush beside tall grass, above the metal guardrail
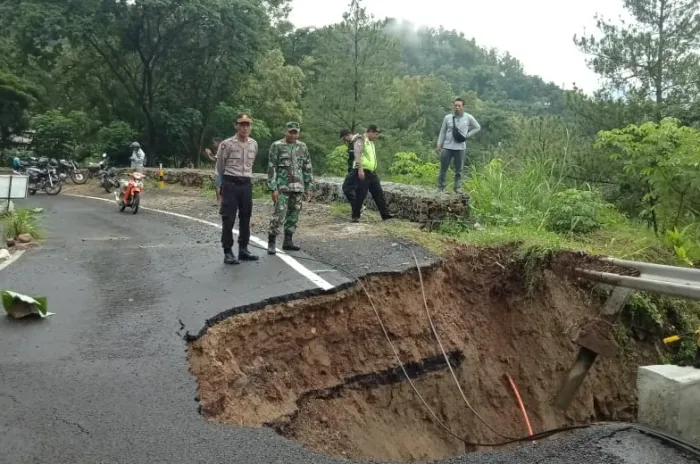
574, 211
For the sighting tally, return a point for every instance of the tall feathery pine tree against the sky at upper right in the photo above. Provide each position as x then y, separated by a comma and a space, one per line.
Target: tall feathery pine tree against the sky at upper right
657, 57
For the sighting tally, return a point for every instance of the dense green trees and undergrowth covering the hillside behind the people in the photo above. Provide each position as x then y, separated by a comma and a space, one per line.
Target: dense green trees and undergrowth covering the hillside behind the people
615, 172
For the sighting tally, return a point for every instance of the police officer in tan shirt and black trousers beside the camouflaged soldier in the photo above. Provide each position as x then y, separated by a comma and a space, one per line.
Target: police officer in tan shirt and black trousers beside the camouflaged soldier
234, 170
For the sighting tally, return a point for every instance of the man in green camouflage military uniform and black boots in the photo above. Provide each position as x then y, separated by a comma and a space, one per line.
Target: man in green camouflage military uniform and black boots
289, 175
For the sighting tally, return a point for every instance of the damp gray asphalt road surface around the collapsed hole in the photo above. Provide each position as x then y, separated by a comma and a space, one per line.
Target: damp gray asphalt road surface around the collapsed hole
105, 380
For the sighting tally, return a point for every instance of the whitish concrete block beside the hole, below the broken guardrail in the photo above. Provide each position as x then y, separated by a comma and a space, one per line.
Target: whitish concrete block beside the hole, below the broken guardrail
669, 400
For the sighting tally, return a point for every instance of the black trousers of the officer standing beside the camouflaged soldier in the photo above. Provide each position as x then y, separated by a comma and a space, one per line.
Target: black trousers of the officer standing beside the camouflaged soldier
236, 198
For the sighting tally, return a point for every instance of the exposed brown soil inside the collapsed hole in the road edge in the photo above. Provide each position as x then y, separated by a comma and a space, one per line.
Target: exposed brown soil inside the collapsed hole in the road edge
320, 370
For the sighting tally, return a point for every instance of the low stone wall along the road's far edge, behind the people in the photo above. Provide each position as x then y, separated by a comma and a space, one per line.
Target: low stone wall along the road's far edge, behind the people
409, 202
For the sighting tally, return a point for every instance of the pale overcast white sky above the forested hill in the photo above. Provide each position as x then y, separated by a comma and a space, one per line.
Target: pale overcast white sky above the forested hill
539, 33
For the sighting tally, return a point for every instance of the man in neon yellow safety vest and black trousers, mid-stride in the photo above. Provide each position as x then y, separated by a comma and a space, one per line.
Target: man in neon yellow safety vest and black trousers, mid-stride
365, 174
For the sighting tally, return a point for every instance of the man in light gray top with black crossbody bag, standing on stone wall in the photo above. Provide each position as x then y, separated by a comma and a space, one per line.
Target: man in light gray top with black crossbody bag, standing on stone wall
452, 143
